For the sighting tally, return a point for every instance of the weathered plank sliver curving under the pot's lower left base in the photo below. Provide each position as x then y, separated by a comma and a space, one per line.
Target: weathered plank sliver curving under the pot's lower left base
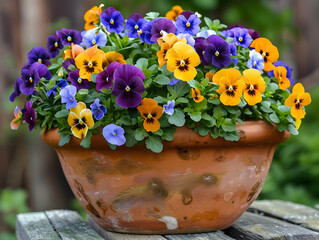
117, 236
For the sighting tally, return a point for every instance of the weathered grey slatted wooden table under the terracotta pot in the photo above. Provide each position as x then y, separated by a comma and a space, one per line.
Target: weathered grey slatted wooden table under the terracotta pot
264, 220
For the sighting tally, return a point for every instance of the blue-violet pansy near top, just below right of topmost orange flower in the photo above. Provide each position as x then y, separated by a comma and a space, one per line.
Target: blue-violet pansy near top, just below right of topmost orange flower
188, 25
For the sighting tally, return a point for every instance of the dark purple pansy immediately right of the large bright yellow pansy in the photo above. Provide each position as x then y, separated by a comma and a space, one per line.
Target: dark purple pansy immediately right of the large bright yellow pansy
217, 52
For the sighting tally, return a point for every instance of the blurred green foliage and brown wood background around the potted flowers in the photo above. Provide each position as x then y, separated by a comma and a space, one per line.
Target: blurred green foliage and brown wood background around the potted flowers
27, 164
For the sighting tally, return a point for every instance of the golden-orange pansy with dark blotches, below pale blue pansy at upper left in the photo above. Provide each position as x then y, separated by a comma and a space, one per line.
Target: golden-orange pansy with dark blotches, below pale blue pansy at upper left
89, 62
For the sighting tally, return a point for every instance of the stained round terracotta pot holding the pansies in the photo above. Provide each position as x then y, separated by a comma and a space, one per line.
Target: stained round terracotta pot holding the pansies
196, 184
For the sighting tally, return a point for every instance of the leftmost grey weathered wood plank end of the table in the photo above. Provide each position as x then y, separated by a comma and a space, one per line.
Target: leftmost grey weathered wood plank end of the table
30, 226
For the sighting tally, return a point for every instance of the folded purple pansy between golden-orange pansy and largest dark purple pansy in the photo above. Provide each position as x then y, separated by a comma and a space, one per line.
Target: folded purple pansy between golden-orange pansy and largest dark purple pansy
104, 79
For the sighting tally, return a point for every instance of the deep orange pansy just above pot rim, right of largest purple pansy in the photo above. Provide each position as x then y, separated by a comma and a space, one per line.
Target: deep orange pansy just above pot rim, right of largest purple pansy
151, 112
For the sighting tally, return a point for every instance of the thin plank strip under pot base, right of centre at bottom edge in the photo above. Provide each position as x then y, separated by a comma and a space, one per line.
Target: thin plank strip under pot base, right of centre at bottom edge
218, 235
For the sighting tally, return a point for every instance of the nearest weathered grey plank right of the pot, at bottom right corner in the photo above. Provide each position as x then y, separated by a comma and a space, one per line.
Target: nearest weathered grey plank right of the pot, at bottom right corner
251, 226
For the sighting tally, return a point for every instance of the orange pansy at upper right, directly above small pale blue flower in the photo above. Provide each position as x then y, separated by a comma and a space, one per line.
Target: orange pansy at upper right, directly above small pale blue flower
267, 50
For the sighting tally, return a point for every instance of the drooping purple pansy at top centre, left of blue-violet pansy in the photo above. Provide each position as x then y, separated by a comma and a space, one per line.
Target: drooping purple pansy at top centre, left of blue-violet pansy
162, 27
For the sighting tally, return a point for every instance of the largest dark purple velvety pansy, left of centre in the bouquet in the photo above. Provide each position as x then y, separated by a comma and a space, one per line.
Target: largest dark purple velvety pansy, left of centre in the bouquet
128, 86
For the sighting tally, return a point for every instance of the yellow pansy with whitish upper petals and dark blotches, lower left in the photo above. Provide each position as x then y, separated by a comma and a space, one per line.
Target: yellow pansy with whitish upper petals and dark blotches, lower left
80, 120
